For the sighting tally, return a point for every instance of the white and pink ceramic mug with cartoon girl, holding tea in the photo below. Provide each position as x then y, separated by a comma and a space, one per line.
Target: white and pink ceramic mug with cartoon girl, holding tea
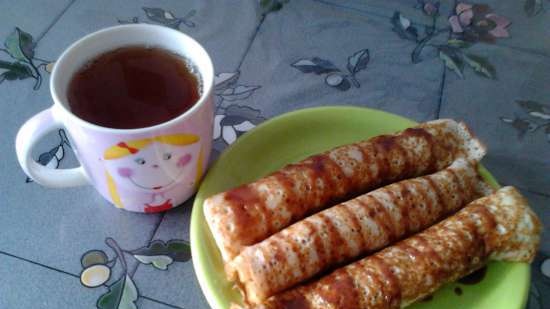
148, 169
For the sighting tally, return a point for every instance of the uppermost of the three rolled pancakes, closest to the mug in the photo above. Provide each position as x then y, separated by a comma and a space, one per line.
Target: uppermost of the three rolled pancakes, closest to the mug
250, 213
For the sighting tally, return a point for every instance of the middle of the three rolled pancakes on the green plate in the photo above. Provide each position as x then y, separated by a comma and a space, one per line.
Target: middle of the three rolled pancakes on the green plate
353, 228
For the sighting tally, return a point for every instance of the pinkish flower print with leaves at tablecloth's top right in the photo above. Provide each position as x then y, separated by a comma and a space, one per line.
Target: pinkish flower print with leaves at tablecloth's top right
468, 25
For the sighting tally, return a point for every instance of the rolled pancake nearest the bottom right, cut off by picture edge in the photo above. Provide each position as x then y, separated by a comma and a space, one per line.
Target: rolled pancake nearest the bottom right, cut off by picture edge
498, 227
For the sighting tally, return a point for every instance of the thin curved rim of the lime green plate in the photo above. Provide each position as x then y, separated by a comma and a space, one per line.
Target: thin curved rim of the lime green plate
196, 251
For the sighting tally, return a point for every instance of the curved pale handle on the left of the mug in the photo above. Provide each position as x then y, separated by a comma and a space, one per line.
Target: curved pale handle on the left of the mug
33, 130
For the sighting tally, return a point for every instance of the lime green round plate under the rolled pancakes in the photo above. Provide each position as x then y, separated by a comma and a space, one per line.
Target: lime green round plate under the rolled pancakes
294, 136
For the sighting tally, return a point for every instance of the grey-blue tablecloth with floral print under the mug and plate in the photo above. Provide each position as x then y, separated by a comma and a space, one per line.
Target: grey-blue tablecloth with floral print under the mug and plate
270, 57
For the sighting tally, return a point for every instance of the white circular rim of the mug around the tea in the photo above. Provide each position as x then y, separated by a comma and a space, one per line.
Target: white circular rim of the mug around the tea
207, 85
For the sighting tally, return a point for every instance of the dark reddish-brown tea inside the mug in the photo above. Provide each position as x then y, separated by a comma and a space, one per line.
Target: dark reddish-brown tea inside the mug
133, 87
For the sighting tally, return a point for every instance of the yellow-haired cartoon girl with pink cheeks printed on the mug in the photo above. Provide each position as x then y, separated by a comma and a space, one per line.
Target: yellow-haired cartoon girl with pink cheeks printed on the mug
152, 166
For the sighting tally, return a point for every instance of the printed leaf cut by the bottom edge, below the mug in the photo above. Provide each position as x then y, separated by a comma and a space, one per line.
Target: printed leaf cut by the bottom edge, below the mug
121, 295
